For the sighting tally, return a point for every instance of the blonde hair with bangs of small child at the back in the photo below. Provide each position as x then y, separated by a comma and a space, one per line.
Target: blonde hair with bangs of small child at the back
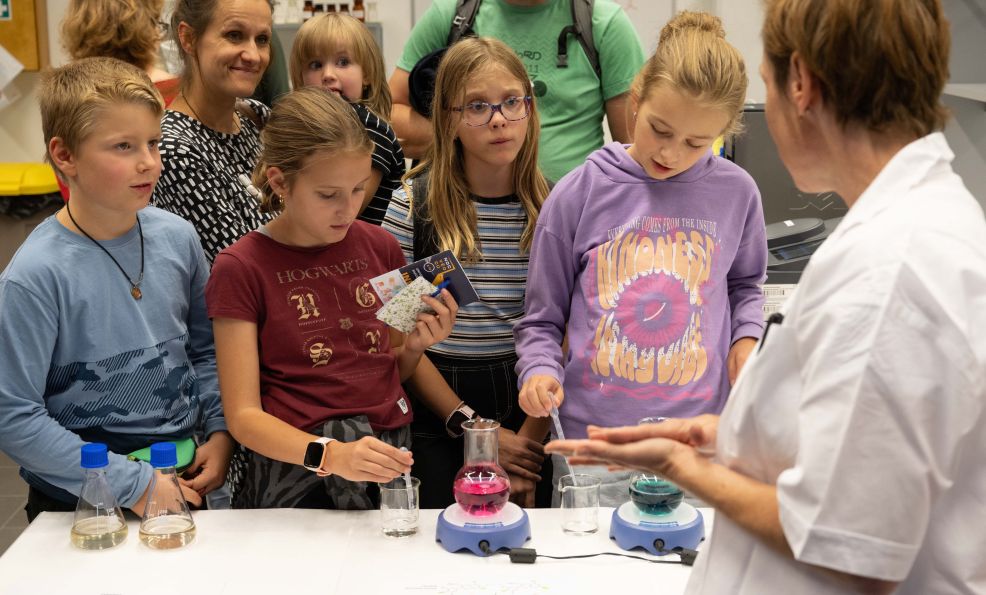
324, 35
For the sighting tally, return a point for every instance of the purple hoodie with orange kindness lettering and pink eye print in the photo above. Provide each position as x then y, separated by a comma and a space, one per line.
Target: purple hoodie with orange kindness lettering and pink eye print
653, 280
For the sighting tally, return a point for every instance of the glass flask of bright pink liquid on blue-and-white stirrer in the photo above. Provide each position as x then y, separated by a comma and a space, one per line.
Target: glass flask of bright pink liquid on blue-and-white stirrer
481, 486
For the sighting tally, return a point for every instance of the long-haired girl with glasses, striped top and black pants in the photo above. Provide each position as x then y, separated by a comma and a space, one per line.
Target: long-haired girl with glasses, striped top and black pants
477, 193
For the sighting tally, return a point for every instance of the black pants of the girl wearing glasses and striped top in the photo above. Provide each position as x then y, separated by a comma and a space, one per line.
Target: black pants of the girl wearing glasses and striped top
490, 388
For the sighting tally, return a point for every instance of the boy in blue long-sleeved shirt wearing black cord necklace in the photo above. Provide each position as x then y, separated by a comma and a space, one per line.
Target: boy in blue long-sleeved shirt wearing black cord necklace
104, 335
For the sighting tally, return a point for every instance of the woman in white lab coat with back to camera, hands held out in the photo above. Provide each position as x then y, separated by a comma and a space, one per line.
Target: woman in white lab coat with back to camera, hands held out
849, 456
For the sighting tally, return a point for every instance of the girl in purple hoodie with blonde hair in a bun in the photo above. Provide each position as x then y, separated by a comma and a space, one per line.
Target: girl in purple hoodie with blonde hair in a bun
649, 257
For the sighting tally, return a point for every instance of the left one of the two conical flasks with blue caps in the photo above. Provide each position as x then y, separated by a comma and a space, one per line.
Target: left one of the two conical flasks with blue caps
99, 522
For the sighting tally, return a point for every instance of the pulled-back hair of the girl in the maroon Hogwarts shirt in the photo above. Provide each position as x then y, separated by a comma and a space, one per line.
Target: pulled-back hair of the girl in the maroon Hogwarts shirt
304, 122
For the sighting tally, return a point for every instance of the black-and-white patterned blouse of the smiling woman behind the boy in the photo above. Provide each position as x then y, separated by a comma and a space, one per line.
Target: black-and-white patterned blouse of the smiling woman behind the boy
200, 177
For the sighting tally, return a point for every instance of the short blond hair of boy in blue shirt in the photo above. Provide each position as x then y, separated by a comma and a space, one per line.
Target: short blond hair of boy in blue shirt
72, 97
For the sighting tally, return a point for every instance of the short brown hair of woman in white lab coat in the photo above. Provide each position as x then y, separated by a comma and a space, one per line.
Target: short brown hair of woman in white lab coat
881, 64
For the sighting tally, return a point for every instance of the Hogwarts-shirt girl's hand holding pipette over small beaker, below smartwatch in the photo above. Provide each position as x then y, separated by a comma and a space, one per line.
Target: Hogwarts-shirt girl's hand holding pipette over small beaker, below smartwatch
367, 459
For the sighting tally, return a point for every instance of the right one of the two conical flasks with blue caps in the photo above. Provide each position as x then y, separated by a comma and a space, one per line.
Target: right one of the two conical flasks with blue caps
167, 523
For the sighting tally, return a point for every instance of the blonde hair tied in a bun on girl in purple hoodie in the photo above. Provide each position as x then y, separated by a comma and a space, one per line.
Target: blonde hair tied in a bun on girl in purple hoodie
694, 58
